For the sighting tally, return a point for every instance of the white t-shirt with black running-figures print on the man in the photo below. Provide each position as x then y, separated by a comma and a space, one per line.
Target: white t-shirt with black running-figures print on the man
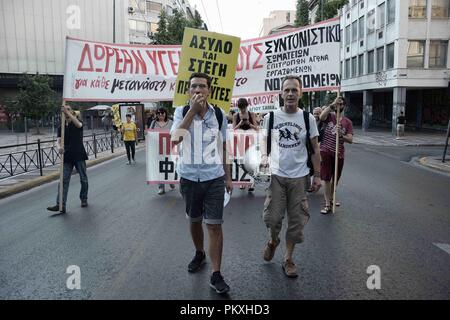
288, 156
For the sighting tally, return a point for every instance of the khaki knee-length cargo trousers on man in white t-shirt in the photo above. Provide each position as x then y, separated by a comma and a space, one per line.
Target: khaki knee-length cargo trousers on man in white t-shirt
286, 194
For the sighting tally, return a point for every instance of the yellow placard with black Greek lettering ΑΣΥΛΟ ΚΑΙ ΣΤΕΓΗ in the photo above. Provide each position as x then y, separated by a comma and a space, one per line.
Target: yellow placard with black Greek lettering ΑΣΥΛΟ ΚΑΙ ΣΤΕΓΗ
214, 54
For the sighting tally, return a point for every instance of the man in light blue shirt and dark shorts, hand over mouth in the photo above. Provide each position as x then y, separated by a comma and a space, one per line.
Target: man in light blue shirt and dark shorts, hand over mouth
204, 174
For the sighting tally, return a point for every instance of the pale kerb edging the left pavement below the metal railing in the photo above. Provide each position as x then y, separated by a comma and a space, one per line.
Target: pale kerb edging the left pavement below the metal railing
27, 185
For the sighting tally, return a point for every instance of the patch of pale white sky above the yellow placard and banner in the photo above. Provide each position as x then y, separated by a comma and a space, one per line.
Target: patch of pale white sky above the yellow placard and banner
241, 18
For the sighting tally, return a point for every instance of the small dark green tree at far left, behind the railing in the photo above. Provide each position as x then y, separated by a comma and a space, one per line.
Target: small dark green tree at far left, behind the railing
34, 100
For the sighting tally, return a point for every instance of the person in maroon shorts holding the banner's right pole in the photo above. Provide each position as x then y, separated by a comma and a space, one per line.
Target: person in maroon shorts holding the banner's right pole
338, 129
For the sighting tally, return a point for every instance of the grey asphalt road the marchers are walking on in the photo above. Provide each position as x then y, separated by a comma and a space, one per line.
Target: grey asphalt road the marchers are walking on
131, 243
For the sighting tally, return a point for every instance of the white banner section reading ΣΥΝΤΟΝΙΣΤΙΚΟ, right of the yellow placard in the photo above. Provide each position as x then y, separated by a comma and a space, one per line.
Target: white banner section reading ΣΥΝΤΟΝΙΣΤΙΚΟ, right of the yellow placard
311, 52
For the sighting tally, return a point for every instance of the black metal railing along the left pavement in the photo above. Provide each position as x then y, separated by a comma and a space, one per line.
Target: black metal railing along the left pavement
45, 153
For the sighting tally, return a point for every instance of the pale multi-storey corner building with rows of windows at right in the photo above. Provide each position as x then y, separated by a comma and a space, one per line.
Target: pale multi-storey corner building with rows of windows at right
395, 57
